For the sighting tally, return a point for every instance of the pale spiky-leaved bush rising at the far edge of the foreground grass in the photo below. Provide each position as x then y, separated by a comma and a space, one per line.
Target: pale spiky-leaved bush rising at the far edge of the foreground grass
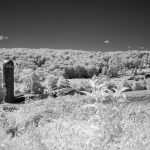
104, 91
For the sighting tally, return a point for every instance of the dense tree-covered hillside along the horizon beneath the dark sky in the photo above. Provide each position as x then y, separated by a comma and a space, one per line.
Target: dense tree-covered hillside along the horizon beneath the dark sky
75, 64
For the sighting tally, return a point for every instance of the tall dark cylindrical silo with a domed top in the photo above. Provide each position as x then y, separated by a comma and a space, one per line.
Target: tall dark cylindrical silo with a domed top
8, 80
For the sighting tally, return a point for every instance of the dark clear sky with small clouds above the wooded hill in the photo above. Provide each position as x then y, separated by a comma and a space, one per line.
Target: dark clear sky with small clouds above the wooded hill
98, 25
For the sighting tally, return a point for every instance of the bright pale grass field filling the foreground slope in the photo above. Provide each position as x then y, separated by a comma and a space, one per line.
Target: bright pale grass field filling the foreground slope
73, 123
